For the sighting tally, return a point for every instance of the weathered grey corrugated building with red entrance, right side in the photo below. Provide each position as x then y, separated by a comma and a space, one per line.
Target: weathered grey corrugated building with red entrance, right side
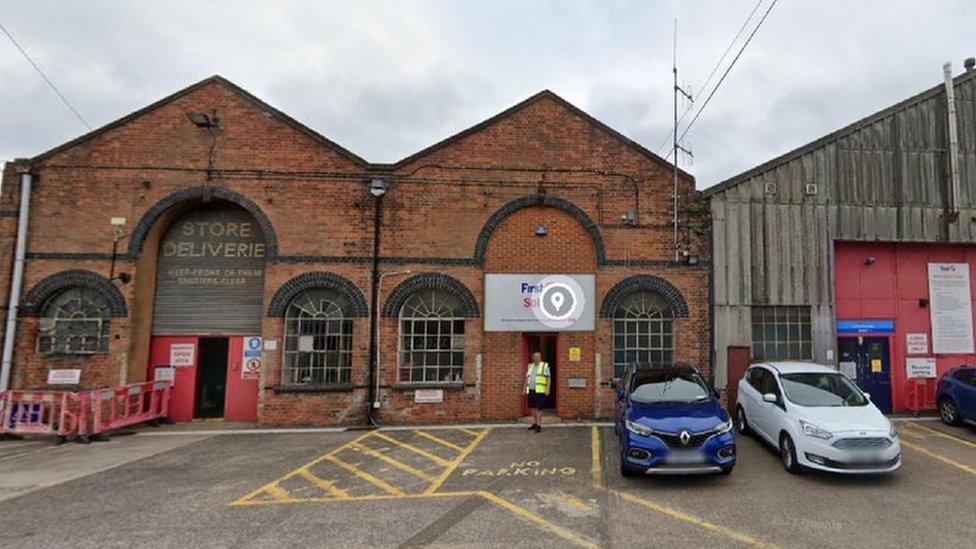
791, 254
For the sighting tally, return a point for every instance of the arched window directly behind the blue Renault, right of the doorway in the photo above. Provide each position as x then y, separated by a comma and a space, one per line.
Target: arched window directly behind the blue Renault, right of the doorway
643, 331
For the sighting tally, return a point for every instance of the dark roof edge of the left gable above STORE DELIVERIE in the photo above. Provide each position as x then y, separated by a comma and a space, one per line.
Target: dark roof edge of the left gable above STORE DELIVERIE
185, 91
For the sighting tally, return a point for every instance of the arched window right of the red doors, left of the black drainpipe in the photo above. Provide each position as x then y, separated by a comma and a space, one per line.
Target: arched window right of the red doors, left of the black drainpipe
318, 338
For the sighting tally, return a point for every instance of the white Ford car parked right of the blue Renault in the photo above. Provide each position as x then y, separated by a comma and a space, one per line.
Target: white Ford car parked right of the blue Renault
817, 419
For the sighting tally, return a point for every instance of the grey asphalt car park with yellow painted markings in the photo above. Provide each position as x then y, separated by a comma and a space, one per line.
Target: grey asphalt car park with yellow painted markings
482, 486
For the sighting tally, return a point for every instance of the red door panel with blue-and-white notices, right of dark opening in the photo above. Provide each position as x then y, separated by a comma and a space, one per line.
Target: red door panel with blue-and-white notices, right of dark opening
241, 401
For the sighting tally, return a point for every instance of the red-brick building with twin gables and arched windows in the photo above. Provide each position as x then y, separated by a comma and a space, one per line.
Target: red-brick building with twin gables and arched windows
168, 242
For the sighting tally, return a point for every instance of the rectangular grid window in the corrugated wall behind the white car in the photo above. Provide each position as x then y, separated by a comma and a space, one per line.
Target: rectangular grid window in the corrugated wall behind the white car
781, 333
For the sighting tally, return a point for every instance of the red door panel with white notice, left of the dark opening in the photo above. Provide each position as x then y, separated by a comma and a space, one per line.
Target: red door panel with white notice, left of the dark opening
186, 355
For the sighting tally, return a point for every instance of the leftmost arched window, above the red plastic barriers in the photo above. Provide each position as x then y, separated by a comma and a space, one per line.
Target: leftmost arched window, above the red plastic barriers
74, 322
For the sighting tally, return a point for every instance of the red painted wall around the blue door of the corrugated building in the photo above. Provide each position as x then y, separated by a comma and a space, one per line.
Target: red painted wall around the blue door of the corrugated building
891, 288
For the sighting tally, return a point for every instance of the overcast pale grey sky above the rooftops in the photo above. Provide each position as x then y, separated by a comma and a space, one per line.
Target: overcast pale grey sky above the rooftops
386, 79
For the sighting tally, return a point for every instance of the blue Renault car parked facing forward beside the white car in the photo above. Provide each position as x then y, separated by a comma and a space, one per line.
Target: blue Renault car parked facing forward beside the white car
670, 422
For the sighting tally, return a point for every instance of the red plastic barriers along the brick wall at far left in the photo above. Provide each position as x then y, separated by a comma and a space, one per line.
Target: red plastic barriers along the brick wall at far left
83, 413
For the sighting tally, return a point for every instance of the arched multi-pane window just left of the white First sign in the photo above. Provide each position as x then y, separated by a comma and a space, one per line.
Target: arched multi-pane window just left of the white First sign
431, 338
